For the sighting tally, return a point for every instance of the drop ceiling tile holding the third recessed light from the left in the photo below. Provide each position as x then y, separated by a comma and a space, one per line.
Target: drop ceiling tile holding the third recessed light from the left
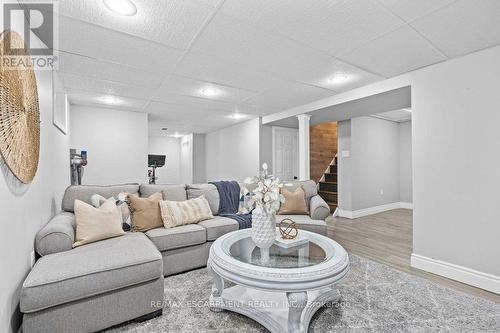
185, 86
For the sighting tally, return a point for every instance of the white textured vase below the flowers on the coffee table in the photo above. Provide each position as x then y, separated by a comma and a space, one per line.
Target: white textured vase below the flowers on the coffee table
263, 228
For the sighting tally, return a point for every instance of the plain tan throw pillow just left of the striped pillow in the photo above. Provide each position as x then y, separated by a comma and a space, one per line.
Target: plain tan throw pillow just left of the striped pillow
145, 212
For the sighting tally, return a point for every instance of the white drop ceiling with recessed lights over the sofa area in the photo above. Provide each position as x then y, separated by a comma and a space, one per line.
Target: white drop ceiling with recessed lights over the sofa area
261, 56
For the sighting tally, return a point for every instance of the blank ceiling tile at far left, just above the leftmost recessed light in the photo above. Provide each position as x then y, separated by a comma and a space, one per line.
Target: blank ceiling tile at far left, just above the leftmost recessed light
77, 82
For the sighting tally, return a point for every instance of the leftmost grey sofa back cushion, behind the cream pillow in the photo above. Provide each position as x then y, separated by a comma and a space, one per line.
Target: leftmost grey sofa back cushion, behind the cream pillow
85, 192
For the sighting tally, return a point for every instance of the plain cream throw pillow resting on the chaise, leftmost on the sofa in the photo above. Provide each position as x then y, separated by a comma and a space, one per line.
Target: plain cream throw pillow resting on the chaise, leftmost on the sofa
94, 224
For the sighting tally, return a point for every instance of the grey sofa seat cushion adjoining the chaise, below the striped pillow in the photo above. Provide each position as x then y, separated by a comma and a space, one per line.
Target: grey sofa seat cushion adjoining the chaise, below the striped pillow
173, 238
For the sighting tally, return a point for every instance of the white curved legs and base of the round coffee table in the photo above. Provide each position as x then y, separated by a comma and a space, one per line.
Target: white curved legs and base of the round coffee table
276, 311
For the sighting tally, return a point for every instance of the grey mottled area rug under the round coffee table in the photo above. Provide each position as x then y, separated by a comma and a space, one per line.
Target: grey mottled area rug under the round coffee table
375, 298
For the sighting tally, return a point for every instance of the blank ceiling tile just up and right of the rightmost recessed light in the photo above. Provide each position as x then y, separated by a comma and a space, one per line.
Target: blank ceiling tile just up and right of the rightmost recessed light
398, 52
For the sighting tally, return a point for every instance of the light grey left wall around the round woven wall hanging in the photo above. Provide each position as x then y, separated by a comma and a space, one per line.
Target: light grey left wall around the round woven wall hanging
26, 208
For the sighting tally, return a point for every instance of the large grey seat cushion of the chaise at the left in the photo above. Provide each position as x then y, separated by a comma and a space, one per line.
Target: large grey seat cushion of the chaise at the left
90, 270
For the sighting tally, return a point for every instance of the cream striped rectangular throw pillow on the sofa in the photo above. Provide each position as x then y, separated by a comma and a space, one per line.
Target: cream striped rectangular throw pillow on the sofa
176, 213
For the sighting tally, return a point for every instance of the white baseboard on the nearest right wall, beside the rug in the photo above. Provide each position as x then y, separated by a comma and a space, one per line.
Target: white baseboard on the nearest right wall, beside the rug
455, 272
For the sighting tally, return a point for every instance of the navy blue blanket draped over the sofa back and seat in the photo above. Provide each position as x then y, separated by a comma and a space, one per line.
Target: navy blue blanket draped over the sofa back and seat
229, 203
